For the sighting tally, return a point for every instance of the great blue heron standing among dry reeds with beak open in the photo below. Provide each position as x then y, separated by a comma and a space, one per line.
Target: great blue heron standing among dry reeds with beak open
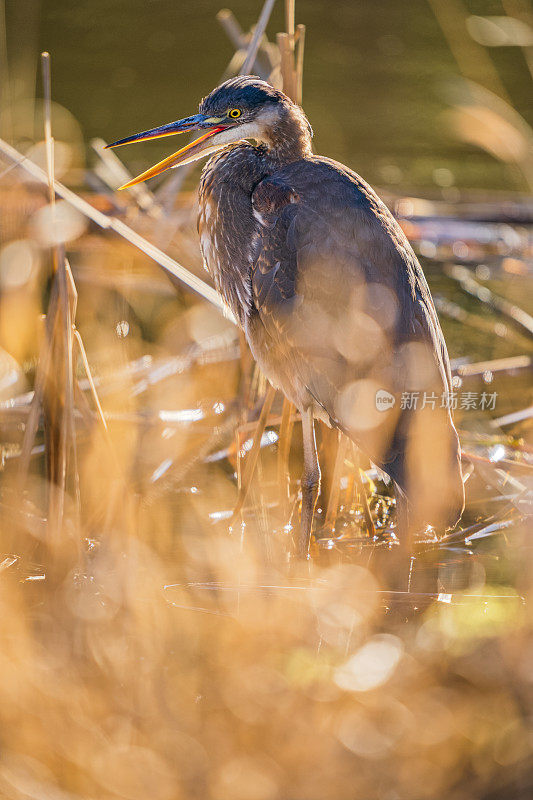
331, 298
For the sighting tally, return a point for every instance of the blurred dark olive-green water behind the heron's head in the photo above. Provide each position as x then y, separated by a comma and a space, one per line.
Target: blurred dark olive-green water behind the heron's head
374, 77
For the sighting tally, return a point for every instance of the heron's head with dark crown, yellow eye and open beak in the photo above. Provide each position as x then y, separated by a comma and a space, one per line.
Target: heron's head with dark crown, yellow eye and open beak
241, 108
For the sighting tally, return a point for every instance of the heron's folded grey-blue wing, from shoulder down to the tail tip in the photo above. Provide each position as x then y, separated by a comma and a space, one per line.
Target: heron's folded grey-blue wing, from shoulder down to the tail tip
341, 312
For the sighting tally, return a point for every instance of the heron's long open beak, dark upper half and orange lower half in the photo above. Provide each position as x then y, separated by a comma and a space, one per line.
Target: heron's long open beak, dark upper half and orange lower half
188, 153
